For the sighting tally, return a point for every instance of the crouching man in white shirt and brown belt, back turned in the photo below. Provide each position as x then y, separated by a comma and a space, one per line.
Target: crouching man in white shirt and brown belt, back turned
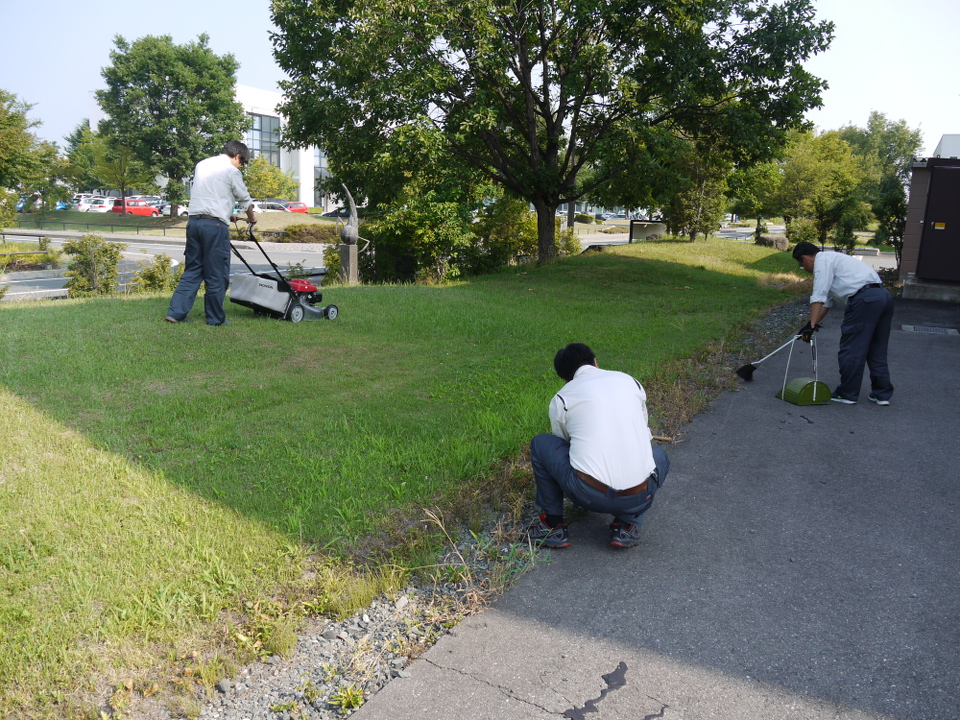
599, 454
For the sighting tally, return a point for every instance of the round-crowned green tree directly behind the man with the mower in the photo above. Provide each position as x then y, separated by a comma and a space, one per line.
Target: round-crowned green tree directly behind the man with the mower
171, 104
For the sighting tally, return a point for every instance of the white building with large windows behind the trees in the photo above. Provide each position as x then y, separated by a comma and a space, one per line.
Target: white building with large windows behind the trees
307, 165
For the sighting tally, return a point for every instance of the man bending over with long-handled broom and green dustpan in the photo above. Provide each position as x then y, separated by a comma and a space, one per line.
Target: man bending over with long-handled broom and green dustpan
867, 318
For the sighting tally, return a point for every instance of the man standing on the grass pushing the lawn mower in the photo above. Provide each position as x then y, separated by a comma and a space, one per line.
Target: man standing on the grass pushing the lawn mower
217, 188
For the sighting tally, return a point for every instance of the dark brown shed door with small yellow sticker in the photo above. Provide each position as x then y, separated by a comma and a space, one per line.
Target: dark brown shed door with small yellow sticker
940, 241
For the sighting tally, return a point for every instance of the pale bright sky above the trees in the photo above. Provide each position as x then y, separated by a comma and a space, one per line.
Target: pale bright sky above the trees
898, 57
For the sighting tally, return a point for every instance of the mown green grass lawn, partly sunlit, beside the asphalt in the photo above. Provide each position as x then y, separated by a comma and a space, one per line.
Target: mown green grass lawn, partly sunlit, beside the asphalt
158, 479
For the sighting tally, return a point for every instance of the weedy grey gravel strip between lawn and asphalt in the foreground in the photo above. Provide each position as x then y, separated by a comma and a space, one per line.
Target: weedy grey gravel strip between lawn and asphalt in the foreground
333, 660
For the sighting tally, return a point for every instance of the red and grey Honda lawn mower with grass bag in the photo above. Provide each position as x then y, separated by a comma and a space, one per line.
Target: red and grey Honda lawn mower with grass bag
277, 296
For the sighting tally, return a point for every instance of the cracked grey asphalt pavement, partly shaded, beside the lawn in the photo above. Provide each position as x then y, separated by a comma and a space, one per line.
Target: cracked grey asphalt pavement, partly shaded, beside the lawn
799, 563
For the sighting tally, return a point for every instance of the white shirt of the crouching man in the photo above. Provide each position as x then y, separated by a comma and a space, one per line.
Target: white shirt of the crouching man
603, 415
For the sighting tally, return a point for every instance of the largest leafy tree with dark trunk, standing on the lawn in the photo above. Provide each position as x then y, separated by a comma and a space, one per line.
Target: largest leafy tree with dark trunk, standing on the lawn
534, 92
